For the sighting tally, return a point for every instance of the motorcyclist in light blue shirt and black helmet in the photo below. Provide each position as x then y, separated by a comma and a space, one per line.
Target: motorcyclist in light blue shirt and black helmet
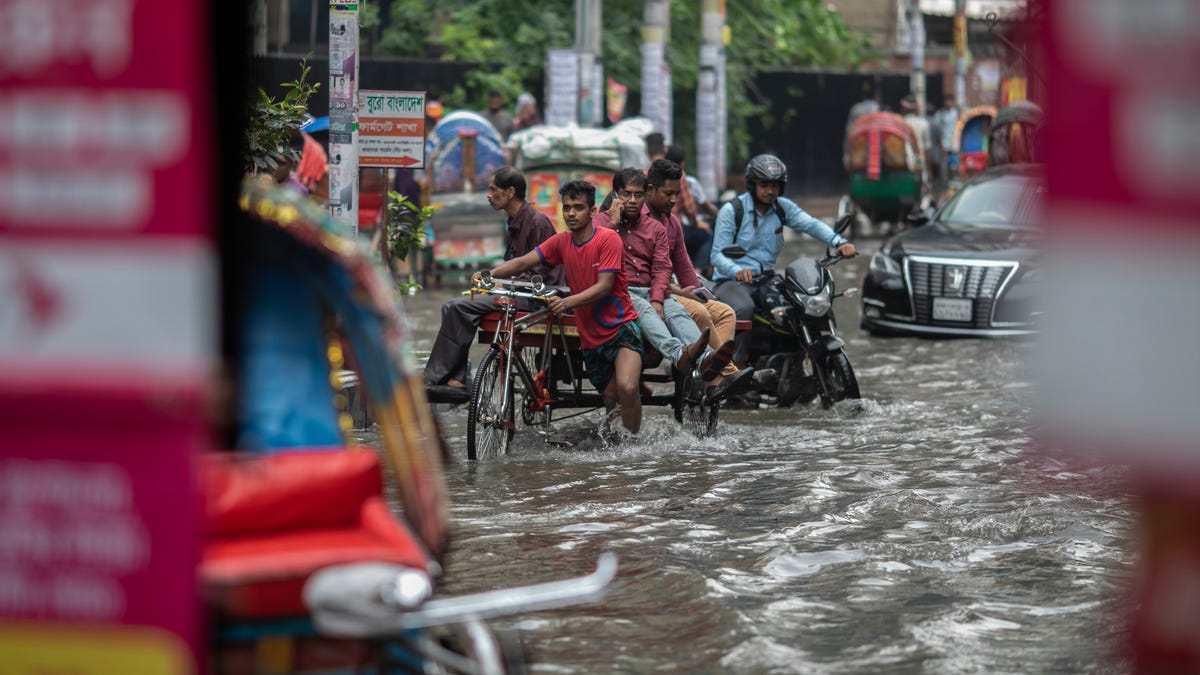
765, 214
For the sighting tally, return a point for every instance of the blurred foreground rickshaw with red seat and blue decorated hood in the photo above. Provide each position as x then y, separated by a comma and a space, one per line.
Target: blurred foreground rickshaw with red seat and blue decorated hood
322, 555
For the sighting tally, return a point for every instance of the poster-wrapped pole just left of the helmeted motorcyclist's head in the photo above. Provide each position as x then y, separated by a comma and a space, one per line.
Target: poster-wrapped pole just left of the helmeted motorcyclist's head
707, 106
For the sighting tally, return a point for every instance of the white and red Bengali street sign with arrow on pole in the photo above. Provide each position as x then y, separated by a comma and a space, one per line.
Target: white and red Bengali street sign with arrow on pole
392, 129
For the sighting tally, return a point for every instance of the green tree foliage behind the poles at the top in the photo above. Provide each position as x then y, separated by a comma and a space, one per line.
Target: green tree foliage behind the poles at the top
766, 34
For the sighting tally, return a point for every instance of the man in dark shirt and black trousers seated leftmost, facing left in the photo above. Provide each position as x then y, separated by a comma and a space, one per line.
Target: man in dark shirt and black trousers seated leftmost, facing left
446, 373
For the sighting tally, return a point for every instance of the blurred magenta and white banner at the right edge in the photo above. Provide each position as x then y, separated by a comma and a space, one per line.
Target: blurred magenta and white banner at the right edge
1120, 365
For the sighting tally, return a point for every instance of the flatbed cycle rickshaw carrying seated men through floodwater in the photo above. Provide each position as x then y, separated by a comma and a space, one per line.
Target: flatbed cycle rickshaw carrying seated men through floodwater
535, 369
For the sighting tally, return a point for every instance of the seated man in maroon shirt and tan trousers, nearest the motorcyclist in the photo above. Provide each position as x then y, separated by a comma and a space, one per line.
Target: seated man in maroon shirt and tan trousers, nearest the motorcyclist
663, 190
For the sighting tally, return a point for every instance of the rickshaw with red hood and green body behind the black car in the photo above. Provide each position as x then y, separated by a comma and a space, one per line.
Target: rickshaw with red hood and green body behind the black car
886, 174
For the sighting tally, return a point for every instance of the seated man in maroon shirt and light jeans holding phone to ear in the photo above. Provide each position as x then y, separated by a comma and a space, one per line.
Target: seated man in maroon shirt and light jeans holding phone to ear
664, 322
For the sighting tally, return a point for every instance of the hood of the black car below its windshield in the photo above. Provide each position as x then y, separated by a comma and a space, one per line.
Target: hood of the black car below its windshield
982, 243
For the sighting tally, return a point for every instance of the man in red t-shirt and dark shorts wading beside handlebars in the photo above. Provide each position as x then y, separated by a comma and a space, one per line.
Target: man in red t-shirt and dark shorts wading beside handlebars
608, 322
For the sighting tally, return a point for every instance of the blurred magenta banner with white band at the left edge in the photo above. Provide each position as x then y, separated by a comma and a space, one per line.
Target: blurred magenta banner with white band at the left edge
107, 332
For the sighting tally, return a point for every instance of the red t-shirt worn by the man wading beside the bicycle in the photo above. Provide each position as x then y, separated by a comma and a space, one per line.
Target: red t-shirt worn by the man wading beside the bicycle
599, 322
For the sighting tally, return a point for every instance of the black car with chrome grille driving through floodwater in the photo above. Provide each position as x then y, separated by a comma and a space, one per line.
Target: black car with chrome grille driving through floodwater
970, 271
